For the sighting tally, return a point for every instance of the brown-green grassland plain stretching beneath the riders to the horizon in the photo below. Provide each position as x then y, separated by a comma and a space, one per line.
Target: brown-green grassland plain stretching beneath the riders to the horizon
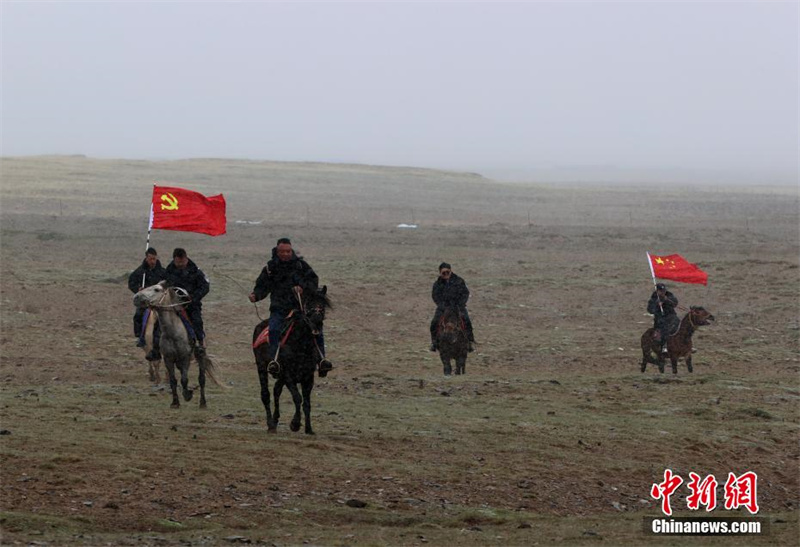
552, 436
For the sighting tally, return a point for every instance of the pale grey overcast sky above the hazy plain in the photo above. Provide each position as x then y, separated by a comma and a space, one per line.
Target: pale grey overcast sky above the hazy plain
688, 90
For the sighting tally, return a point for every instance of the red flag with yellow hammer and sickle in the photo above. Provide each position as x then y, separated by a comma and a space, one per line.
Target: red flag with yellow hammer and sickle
187, 211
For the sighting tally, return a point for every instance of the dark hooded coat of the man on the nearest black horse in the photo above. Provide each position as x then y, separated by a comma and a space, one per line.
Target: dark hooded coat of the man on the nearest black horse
277, 279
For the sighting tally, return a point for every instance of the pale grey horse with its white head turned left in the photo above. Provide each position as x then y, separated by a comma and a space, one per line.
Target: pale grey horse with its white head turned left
176, 346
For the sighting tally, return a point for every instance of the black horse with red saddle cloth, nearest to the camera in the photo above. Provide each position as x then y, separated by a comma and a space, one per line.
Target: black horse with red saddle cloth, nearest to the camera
298, 357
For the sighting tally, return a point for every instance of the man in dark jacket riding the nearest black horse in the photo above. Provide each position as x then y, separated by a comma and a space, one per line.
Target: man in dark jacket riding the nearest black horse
285, 278
